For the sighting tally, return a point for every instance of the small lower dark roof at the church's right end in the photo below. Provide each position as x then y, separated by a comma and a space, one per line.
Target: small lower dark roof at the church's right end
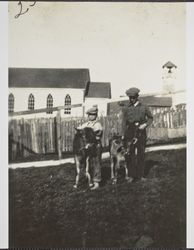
99, 90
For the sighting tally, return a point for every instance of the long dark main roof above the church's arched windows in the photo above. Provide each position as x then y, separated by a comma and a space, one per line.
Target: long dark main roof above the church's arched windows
48, 78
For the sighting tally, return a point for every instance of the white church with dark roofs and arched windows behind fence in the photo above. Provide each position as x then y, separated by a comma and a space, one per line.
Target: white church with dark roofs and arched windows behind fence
37, 88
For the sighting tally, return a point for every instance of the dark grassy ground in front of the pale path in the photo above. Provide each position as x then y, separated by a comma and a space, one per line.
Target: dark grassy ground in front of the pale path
45, 211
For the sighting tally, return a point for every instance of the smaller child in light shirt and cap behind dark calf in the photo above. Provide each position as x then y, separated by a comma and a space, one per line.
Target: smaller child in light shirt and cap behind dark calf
95, 162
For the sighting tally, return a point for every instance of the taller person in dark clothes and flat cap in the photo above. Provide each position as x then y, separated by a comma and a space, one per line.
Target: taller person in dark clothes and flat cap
138, 116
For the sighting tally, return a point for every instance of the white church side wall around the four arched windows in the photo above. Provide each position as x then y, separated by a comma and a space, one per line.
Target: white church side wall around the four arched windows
40, 94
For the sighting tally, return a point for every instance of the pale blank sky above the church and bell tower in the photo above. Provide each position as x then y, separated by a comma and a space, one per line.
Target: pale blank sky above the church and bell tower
123, 43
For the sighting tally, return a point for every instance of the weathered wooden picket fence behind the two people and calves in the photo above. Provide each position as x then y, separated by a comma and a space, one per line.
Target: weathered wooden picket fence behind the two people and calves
55, 135
